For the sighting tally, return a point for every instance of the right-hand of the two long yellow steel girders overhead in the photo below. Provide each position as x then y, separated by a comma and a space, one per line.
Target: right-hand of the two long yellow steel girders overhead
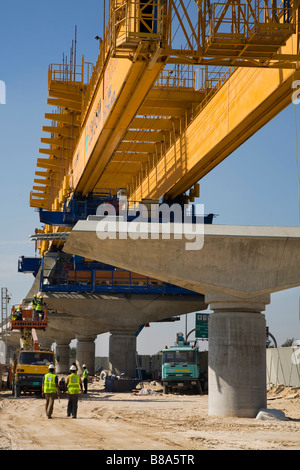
247, 100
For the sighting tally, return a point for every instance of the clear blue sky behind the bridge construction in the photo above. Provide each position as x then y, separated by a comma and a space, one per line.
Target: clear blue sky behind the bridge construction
256, 185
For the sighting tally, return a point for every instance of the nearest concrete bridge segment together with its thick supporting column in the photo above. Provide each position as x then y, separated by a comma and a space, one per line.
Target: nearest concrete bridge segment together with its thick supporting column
237, 269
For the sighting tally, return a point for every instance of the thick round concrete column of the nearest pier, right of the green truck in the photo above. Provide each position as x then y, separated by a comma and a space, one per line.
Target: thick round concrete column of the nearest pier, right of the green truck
237, 356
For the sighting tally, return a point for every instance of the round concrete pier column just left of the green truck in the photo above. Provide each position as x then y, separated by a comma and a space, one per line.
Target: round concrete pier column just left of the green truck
122, 353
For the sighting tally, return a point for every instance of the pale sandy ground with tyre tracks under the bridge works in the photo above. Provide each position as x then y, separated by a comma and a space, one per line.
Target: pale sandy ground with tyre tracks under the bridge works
127, 421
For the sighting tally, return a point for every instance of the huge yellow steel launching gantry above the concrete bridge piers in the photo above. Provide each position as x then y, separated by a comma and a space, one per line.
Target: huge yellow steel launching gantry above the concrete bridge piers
177, 87
